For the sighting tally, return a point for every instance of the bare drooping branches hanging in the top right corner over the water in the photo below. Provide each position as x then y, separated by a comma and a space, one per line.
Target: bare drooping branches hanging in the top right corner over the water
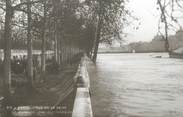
168, 10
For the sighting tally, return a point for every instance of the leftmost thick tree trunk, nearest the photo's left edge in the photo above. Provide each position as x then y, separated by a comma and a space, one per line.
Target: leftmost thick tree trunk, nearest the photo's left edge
7, 48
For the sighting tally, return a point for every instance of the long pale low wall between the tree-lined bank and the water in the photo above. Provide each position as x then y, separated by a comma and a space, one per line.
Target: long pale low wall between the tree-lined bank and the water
82, 104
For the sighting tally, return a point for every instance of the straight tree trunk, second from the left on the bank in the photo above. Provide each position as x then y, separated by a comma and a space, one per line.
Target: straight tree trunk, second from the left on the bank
29, 47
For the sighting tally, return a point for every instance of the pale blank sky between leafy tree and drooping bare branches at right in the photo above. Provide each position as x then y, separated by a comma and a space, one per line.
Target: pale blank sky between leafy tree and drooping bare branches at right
146, 11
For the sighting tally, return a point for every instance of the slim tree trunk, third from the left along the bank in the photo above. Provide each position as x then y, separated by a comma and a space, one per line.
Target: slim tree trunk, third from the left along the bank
43, 50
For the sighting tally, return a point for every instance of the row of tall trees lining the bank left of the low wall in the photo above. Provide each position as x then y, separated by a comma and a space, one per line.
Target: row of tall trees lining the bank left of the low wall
69, 26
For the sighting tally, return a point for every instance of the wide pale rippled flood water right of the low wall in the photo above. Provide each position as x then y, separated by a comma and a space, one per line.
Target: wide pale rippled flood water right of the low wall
137, 85
